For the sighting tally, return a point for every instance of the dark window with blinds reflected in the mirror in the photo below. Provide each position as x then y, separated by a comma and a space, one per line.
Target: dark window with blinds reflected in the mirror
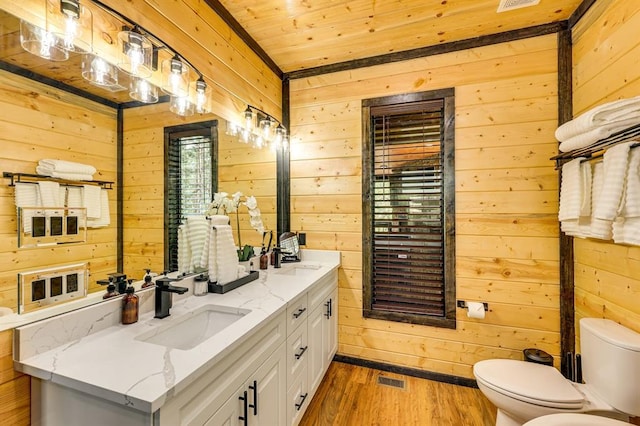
190, 179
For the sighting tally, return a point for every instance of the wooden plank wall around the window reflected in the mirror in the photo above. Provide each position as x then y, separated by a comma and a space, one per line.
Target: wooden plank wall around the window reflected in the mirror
240, 168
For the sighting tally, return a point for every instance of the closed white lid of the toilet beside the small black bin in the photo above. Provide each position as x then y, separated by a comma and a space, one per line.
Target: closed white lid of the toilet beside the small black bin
534, 383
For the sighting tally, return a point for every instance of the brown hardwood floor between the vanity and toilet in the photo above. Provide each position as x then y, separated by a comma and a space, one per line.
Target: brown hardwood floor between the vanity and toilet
350, 395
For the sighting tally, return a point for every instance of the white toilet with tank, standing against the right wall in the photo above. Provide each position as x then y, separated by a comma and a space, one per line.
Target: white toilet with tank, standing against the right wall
523, 390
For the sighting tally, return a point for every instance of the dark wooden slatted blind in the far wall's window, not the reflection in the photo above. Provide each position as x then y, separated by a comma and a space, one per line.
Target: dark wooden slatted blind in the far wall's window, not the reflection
406, 211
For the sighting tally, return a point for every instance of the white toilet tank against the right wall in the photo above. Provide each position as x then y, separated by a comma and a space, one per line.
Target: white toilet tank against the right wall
611, 363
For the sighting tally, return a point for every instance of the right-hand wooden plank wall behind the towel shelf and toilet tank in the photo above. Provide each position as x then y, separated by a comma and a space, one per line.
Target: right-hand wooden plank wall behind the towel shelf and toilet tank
606, 51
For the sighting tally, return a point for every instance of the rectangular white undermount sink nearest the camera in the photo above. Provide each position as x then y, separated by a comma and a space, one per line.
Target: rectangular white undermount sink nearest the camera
189, 330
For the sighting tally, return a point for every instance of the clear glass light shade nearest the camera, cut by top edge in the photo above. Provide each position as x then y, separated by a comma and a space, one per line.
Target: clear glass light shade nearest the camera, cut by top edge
72, 23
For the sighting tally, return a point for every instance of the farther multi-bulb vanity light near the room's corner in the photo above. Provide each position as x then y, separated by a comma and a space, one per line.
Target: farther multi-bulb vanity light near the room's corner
269, 131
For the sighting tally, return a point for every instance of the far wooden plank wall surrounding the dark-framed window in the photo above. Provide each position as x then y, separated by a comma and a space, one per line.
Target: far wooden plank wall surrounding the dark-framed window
506, 199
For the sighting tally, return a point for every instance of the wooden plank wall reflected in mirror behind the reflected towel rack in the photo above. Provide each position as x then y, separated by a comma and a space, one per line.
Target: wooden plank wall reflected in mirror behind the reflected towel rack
41, 122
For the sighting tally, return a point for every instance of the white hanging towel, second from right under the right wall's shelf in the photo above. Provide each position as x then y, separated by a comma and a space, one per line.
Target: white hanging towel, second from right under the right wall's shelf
615, 170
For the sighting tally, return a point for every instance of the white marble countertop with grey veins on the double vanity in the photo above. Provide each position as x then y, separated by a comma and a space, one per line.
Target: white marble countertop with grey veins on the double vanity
90, 351
